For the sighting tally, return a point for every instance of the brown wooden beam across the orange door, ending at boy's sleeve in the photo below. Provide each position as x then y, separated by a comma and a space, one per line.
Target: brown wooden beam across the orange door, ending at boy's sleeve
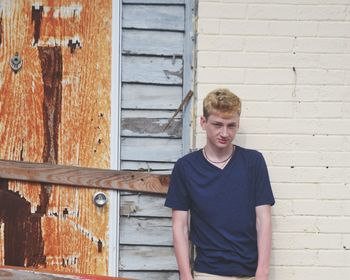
84, 177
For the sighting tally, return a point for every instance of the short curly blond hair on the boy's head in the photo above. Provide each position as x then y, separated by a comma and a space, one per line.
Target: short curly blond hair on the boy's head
221, 100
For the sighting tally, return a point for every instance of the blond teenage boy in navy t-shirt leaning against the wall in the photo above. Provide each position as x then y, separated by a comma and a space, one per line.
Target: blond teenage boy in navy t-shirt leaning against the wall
226, 189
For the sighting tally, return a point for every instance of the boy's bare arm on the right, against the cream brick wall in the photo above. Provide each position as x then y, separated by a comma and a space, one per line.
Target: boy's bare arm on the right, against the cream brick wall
264, 232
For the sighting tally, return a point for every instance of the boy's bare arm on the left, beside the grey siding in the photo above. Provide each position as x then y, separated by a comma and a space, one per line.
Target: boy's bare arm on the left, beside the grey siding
181, 244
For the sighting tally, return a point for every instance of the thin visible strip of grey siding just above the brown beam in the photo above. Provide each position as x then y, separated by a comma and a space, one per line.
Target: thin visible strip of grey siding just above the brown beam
153, 167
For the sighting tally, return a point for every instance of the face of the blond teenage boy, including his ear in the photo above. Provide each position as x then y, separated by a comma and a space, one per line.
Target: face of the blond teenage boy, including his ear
221, 129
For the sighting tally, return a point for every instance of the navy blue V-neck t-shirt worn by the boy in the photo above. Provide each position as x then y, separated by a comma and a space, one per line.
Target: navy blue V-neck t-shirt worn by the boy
222, 205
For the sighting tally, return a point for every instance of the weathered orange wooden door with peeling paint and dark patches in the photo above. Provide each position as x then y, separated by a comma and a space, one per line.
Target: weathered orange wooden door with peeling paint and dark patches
47, 116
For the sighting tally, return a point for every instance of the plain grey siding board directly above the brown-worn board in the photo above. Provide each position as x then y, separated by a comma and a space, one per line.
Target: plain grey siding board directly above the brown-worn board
136, 96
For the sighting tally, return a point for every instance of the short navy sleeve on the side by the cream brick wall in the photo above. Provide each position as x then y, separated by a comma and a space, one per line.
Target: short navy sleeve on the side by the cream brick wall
263, 190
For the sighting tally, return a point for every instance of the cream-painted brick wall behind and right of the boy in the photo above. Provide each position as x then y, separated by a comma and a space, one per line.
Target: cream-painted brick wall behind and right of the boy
299, 119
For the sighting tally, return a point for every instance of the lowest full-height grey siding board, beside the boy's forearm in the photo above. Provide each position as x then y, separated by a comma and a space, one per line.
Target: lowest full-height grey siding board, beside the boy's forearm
146, 258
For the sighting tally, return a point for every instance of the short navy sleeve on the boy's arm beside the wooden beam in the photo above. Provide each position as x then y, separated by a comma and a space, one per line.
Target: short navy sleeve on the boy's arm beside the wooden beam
178, 197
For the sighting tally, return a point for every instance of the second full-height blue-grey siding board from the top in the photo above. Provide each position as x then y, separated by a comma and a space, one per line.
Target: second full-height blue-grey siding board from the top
152, 42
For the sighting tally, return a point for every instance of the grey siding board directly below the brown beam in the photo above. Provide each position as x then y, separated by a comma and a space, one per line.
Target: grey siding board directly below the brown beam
141, 205
